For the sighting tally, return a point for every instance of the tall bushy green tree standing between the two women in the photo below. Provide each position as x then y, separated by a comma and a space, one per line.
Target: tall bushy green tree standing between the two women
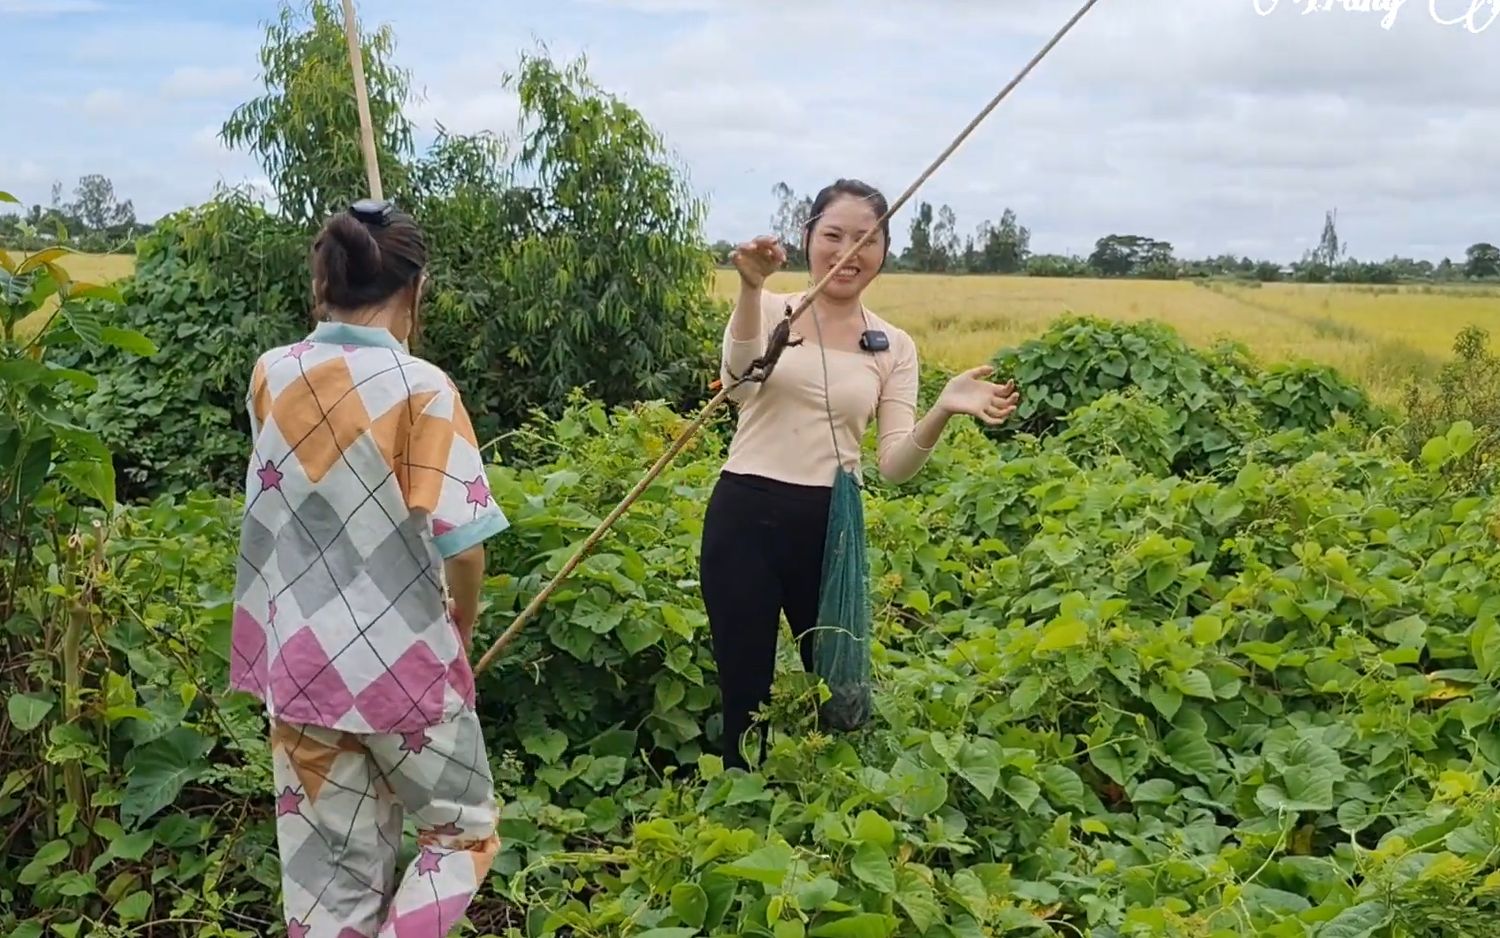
593, 274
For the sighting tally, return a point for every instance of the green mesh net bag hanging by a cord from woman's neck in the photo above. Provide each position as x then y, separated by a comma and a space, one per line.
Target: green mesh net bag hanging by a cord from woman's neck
842, 634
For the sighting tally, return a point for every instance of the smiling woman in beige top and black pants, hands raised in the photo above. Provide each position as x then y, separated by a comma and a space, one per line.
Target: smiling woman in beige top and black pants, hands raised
764, 529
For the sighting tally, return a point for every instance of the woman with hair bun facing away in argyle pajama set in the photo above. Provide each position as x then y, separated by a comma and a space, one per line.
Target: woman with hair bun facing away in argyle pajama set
367, 508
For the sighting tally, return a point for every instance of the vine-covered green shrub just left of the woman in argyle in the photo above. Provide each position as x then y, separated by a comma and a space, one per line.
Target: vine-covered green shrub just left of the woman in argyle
214, 287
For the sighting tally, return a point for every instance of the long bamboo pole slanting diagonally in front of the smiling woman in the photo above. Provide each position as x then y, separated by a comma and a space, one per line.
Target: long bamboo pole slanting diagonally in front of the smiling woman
772, 353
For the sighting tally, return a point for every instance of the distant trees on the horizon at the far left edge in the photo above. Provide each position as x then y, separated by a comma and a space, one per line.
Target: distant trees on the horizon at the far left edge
95, 220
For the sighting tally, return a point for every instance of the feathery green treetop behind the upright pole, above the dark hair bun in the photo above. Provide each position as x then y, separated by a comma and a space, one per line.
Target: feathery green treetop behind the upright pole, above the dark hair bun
305, 128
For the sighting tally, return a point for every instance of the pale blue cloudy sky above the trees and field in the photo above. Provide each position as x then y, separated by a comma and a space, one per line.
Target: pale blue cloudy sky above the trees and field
1201, 122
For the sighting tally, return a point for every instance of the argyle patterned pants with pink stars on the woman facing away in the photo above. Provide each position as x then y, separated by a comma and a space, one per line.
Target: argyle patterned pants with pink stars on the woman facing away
340, 810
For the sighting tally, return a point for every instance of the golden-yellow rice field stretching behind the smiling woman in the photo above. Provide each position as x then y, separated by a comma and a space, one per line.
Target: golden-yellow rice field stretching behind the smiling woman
1376, 335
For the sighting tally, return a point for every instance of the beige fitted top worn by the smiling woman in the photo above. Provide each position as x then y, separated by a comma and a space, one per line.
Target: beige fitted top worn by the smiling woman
784, 430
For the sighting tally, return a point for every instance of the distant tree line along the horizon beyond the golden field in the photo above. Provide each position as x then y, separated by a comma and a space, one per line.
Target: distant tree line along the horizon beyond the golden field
937, 247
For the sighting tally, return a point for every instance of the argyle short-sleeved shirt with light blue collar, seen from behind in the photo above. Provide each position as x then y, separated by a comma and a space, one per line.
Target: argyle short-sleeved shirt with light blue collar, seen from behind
365, 477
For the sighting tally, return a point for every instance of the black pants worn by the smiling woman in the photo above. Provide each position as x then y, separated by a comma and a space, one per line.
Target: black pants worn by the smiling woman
763, 555
